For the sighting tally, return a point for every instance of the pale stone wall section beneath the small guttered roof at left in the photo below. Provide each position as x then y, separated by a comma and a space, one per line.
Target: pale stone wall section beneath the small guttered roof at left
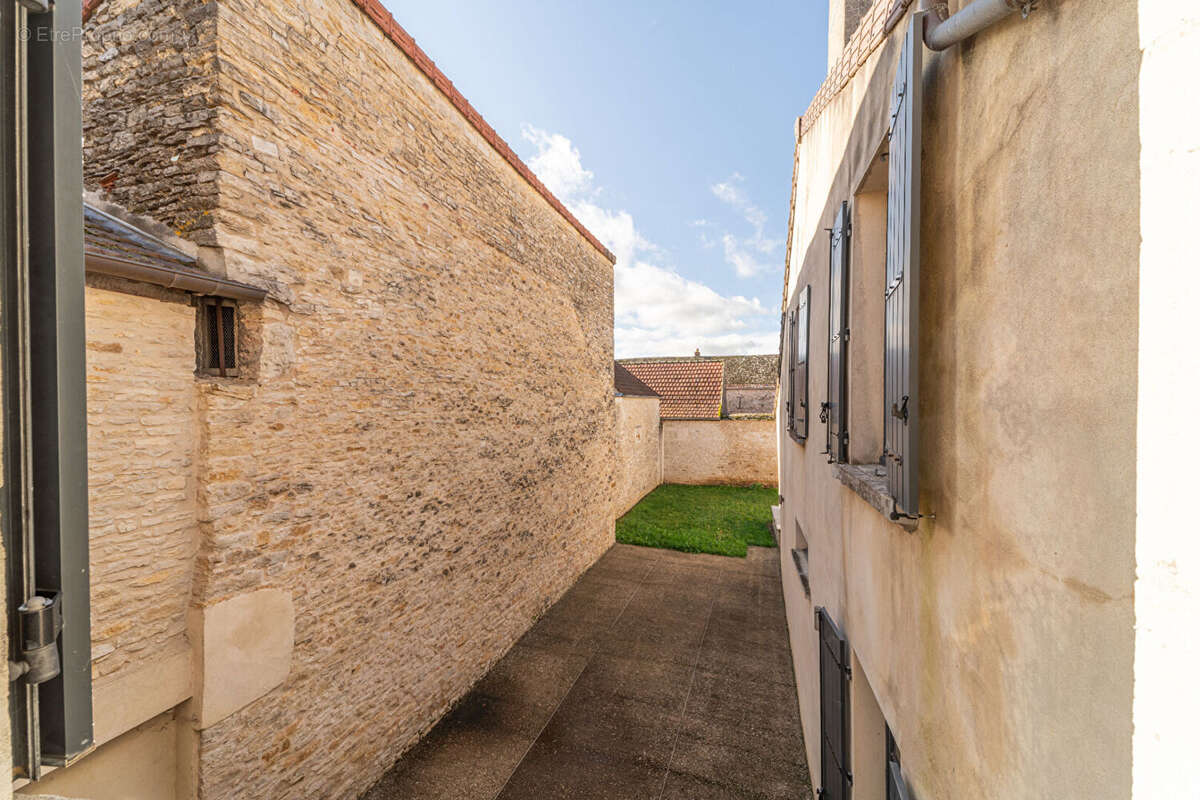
142, 435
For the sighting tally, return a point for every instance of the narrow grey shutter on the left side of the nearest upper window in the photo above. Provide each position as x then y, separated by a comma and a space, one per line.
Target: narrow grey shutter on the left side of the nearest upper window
837, 437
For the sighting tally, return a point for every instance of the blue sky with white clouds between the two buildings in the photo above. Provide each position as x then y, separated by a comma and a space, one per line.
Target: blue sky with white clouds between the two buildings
667, 128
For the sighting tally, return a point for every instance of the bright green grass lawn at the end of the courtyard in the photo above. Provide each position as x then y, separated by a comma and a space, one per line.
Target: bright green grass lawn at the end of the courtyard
719, 520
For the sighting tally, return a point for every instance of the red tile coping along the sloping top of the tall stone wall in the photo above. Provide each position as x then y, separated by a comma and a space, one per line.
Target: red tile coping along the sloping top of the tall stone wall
400, 38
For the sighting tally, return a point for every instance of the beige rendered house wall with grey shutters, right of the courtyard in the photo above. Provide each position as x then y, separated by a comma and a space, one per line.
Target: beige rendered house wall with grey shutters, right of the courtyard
998, 637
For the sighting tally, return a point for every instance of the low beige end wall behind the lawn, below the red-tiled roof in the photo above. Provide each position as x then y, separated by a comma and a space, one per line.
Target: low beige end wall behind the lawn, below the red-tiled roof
737, 453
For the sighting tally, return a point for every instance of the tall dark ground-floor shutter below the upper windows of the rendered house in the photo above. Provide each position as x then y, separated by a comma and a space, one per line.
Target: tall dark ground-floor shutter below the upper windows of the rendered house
836, 777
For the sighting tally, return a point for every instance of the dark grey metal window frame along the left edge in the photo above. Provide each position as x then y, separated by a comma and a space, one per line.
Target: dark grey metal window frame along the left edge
45, 497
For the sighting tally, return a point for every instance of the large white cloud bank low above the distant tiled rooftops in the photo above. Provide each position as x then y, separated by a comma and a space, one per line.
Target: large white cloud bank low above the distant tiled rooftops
657, 310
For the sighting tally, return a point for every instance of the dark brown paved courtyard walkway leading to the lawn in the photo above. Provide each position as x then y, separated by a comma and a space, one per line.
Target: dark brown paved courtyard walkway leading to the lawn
659, 676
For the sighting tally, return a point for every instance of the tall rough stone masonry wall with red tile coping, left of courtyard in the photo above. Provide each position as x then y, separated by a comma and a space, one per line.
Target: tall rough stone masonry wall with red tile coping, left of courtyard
419, 447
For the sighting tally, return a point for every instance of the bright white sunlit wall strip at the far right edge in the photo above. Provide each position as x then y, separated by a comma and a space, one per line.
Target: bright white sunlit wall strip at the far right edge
1167, 696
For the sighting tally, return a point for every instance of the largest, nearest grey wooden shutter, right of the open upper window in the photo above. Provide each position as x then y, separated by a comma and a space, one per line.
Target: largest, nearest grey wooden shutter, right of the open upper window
903, 278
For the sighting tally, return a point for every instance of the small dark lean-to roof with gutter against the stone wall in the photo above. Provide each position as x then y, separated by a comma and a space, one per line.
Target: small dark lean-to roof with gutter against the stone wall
115, 246
